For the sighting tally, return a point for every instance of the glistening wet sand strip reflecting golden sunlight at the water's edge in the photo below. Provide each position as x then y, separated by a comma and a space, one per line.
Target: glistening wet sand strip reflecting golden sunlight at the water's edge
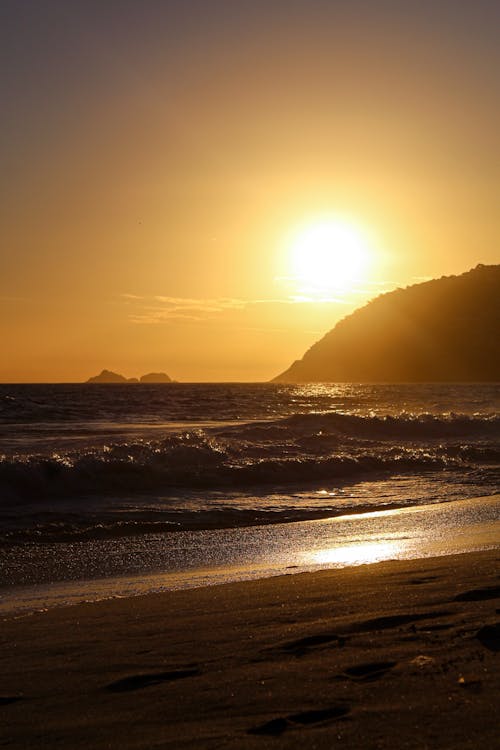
245, 554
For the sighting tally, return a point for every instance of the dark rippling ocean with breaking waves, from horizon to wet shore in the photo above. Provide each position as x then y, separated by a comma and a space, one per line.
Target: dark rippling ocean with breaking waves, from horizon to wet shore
110, 480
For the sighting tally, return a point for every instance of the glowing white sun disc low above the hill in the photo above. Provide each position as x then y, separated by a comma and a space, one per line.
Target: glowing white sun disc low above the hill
328, 255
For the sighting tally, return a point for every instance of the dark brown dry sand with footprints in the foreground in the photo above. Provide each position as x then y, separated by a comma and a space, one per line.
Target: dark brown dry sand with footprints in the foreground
391, 655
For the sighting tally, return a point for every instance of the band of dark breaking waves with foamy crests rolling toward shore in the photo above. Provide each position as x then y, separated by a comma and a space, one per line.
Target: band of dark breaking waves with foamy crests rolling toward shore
297, 449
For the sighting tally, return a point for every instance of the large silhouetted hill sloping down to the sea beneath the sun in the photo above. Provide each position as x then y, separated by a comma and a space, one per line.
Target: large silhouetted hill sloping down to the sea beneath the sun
441, 330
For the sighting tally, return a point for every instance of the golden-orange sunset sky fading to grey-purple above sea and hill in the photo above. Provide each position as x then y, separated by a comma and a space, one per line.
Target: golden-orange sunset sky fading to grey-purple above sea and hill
166, 166
